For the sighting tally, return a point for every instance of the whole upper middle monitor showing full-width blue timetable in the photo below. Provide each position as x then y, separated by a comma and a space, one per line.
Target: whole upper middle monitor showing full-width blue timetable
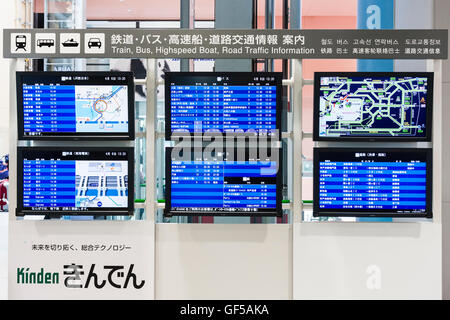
228, 103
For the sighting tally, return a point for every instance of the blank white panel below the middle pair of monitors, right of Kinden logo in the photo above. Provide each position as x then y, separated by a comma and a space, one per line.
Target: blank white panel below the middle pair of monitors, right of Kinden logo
223, 261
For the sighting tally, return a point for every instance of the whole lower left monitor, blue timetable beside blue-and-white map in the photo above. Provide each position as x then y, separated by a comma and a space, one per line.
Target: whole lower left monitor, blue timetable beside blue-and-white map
75, 181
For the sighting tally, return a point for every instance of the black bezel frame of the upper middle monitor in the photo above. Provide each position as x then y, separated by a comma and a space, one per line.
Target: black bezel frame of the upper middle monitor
168, 77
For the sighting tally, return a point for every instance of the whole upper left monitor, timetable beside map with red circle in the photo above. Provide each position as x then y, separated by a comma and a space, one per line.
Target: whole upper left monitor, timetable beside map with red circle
75, 105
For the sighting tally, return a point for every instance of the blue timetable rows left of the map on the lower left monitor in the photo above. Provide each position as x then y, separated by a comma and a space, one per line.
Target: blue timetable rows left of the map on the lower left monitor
49, 183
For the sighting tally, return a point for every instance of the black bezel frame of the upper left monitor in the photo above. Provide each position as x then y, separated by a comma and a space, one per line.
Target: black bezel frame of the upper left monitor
130, 135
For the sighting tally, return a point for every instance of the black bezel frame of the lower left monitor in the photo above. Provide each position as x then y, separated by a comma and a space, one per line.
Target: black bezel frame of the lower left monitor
129, 211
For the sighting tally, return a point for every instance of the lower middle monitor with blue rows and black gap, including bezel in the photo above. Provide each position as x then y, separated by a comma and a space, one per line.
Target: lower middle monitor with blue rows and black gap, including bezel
229, 183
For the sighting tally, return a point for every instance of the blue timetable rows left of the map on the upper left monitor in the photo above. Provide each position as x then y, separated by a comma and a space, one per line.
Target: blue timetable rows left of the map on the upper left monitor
49, 108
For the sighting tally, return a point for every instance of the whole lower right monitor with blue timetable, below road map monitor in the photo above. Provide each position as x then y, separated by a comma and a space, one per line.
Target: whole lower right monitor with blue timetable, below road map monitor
372, 182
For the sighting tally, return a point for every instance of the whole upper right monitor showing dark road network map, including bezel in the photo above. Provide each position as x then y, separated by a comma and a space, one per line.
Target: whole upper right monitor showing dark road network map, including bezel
373, 106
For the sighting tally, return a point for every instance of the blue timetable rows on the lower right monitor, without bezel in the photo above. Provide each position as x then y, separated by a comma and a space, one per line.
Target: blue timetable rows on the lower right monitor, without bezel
373, 185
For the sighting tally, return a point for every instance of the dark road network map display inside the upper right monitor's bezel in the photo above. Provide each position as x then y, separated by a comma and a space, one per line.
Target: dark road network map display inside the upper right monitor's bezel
373, 106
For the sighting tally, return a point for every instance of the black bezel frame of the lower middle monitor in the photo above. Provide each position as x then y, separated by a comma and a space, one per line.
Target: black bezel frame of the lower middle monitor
278, 212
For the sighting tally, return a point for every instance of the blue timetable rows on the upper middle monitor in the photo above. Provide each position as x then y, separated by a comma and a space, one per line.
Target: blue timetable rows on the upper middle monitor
223, 108
